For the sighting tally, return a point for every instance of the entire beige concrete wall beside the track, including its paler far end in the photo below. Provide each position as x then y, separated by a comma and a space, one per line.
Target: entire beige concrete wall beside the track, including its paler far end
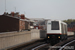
11, 39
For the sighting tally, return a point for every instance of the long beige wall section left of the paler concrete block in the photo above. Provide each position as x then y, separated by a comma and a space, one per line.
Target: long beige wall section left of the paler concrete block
11, 39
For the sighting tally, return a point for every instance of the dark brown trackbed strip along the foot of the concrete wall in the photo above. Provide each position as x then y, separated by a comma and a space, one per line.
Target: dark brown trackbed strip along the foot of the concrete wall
27, 45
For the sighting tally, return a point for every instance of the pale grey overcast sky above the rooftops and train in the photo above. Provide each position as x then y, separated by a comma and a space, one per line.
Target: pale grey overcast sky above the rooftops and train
50, 9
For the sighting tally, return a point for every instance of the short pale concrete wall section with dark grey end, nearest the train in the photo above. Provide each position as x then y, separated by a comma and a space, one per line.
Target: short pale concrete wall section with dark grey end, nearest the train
37, 34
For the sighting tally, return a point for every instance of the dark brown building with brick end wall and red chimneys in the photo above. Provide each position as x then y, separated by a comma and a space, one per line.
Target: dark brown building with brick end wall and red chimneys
13, 22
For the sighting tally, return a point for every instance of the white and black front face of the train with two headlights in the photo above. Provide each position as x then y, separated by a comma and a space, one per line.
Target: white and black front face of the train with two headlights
53, 31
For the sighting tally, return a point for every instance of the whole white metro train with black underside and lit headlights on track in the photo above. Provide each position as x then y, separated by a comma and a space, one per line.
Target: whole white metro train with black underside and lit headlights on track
56, 31
